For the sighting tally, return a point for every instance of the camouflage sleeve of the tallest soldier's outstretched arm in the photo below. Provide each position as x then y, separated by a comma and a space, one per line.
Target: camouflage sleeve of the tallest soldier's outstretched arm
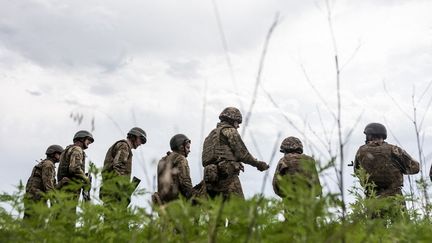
238, 147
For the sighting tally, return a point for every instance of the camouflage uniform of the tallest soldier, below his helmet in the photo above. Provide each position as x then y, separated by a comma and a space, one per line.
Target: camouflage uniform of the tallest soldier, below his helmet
224, 171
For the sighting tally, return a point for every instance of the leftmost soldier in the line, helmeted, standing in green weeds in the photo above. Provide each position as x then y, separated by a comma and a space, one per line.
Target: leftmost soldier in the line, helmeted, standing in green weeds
42, 179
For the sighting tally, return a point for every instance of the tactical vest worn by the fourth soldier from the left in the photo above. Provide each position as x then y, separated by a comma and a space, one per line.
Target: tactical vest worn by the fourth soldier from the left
168, 184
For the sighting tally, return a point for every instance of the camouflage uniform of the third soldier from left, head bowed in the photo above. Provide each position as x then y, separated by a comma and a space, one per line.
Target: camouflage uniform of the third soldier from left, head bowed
118, 162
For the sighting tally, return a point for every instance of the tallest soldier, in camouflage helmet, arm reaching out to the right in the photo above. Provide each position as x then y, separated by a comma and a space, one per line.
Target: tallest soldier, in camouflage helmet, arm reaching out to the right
223, 153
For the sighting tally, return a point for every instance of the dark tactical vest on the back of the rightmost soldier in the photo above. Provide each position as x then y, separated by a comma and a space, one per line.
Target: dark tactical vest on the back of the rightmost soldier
384, 171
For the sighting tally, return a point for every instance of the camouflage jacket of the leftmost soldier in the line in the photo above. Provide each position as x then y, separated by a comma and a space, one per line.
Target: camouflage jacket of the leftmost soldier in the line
42, 179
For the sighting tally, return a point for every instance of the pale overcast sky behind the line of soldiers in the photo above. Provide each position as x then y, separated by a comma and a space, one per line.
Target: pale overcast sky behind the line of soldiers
154, 64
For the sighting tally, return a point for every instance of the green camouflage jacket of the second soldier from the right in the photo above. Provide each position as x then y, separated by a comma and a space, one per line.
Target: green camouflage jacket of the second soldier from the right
297, 164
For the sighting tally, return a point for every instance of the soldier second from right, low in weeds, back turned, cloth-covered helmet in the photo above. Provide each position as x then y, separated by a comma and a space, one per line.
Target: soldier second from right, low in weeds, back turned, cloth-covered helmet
295, 163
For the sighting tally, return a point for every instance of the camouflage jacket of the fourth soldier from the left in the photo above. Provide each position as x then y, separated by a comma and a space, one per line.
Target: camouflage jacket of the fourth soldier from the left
174, 177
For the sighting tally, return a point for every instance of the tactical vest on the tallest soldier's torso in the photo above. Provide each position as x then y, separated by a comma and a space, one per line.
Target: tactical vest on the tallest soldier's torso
215, 148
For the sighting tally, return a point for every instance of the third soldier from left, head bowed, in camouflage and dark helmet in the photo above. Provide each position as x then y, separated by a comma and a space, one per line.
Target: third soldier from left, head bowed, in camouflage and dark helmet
118, 164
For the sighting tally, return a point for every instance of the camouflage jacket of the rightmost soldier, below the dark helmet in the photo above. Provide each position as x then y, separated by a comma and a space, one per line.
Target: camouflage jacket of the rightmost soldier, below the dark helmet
385, 165
